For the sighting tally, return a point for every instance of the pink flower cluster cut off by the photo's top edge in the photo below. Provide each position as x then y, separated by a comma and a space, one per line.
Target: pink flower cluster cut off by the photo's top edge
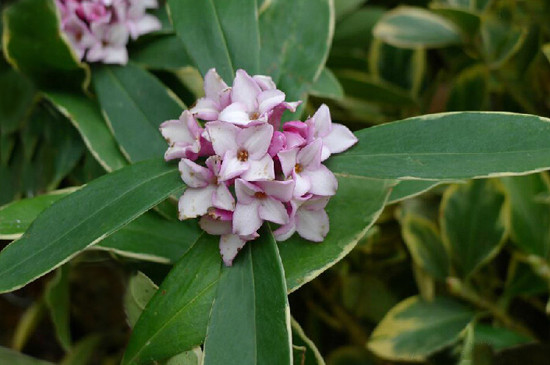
98, 30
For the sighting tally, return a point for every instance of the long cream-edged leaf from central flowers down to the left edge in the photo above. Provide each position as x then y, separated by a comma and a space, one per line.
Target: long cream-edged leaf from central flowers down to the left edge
84, 218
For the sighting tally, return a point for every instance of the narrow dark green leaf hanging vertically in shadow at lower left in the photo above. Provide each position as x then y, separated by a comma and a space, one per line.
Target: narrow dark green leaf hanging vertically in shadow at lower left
58, 303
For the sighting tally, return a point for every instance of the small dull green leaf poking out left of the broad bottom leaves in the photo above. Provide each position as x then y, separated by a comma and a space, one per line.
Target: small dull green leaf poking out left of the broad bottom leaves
139, 292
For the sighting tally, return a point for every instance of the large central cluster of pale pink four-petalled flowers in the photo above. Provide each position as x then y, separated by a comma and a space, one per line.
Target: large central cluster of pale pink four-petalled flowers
253, 171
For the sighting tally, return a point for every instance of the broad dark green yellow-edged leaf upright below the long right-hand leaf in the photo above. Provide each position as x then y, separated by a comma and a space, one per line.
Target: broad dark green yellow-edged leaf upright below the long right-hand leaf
473, 223
